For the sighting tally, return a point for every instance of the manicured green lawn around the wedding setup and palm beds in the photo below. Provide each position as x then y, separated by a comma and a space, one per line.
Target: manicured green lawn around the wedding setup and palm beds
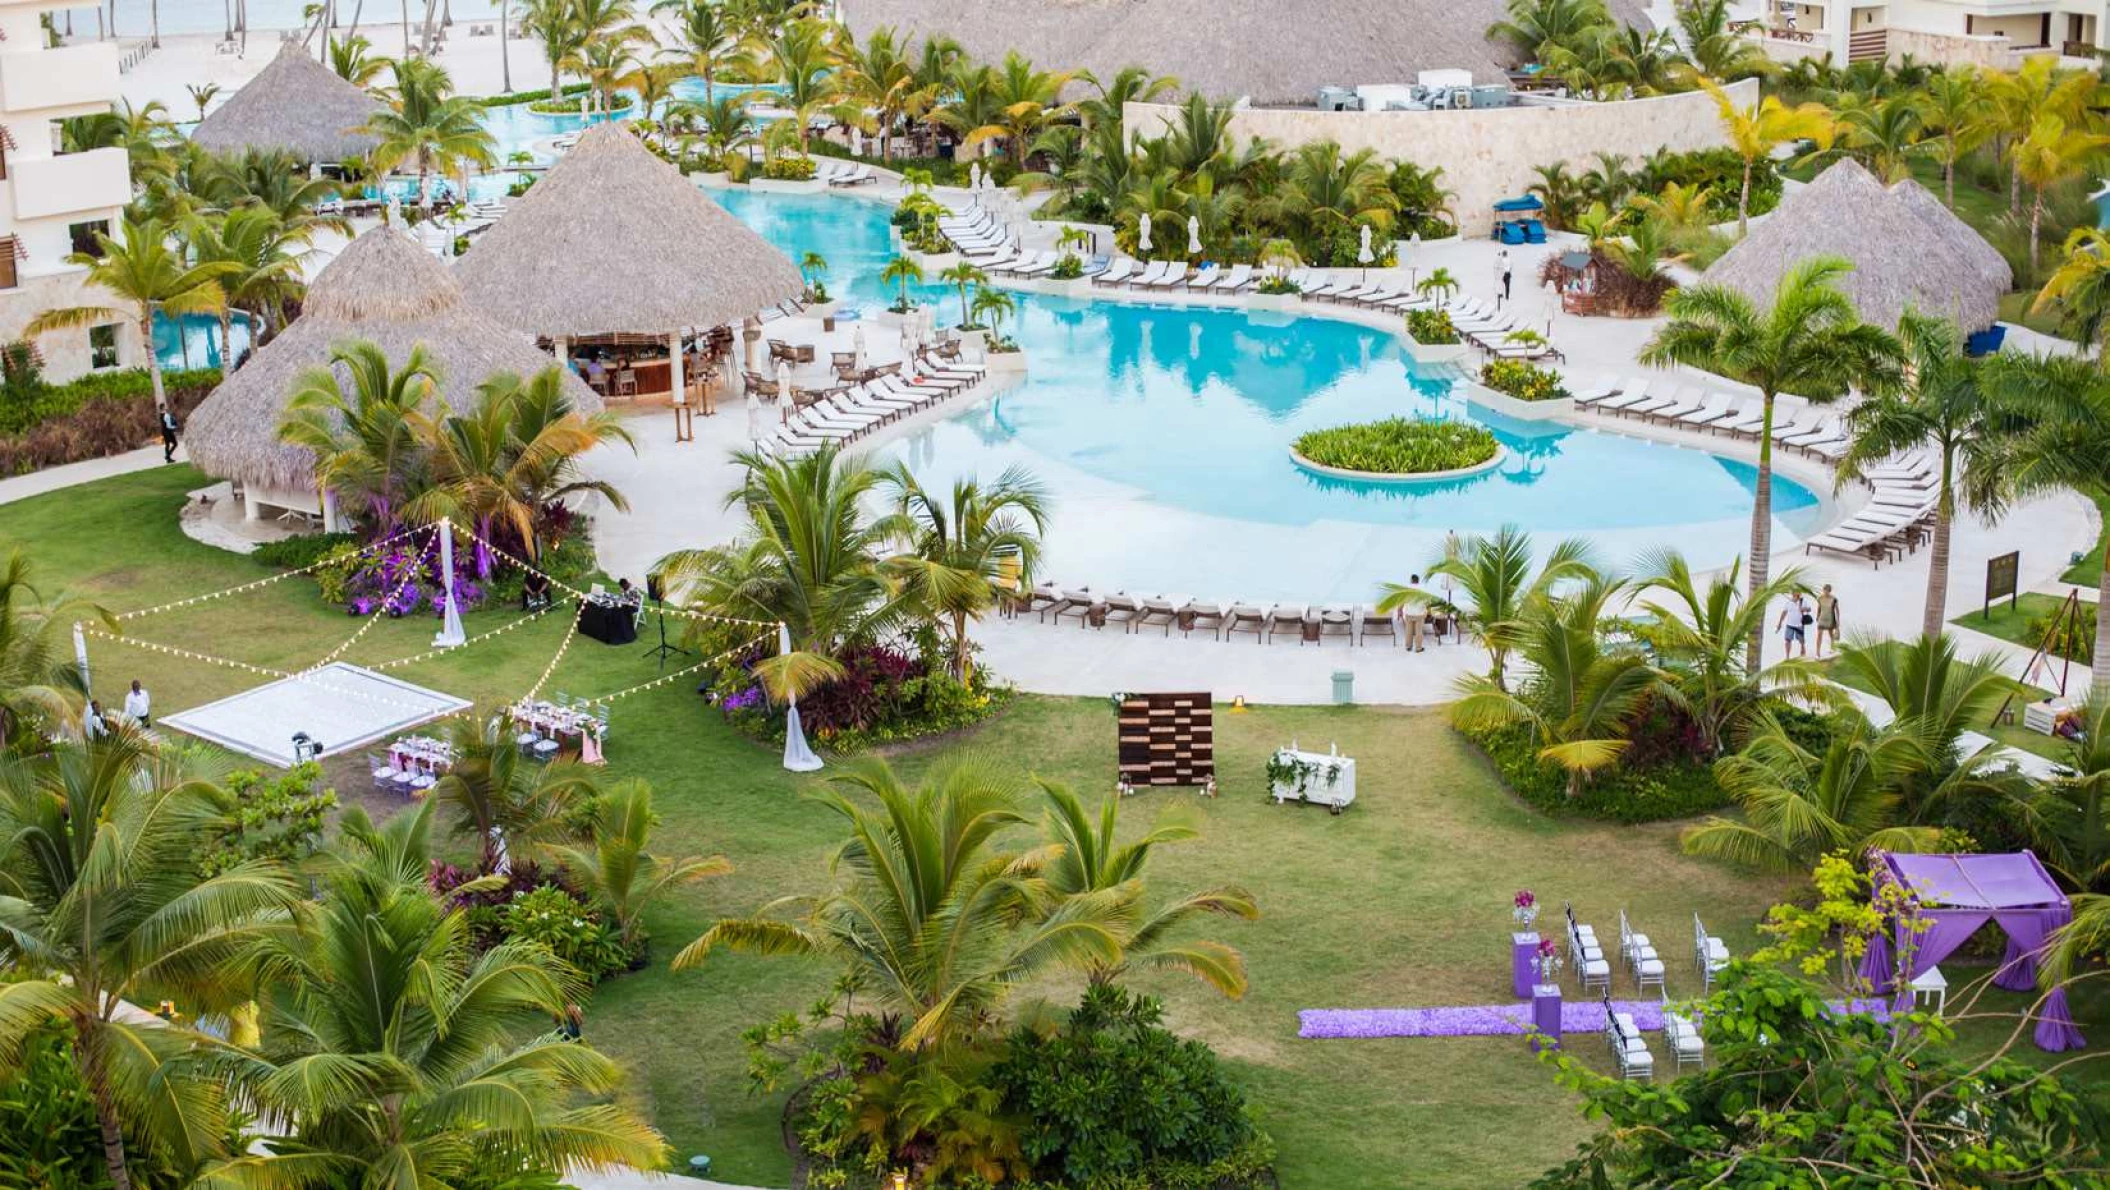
1402, 902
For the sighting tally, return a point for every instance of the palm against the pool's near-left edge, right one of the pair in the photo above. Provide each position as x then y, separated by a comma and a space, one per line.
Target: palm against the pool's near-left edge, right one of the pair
961, 554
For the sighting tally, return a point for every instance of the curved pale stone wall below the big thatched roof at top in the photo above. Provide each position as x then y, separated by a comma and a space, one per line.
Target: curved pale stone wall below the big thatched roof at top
1489, 153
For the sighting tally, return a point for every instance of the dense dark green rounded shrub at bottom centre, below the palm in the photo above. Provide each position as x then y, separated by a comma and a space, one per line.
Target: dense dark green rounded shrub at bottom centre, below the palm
1113, 1096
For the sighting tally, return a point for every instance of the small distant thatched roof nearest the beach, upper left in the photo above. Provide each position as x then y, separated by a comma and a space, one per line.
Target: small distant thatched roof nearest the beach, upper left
299, 107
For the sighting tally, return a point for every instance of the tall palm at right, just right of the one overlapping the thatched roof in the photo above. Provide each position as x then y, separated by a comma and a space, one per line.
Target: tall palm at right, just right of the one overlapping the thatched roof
1942, 408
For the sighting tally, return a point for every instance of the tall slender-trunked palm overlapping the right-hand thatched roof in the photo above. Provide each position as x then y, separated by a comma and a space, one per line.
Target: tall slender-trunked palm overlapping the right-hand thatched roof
1807, 343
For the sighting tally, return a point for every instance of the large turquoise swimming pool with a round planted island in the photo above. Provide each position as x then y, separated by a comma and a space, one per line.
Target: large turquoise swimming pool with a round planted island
1164, 438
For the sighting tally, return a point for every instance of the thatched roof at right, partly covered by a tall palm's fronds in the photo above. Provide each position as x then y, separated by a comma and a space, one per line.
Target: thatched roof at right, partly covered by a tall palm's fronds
1906, 250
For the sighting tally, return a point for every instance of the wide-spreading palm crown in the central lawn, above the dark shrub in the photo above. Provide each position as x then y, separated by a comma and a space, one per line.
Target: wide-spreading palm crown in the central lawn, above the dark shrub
927, 913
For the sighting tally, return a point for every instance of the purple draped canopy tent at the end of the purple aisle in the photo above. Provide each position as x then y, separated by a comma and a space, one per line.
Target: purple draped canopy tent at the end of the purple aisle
1957, 896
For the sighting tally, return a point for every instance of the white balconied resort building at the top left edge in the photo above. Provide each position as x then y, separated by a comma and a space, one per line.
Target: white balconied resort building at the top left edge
52, 204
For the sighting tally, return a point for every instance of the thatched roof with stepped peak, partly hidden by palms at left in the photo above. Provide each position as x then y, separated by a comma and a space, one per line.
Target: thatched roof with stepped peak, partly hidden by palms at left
381, 288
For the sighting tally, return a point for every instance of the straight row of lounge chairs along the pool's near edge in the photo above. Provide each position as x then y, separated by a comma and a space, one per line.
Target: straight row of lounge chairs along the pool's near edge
1354, 626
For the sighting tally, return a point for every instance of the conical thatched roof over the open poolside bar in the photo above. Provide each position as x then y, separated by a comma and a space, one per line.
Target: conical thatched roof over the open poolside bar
615, 239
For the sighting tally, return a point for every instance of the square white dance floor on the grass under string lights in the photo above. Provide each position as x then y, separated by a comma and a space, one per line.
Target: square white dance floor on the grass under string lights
341, 706
